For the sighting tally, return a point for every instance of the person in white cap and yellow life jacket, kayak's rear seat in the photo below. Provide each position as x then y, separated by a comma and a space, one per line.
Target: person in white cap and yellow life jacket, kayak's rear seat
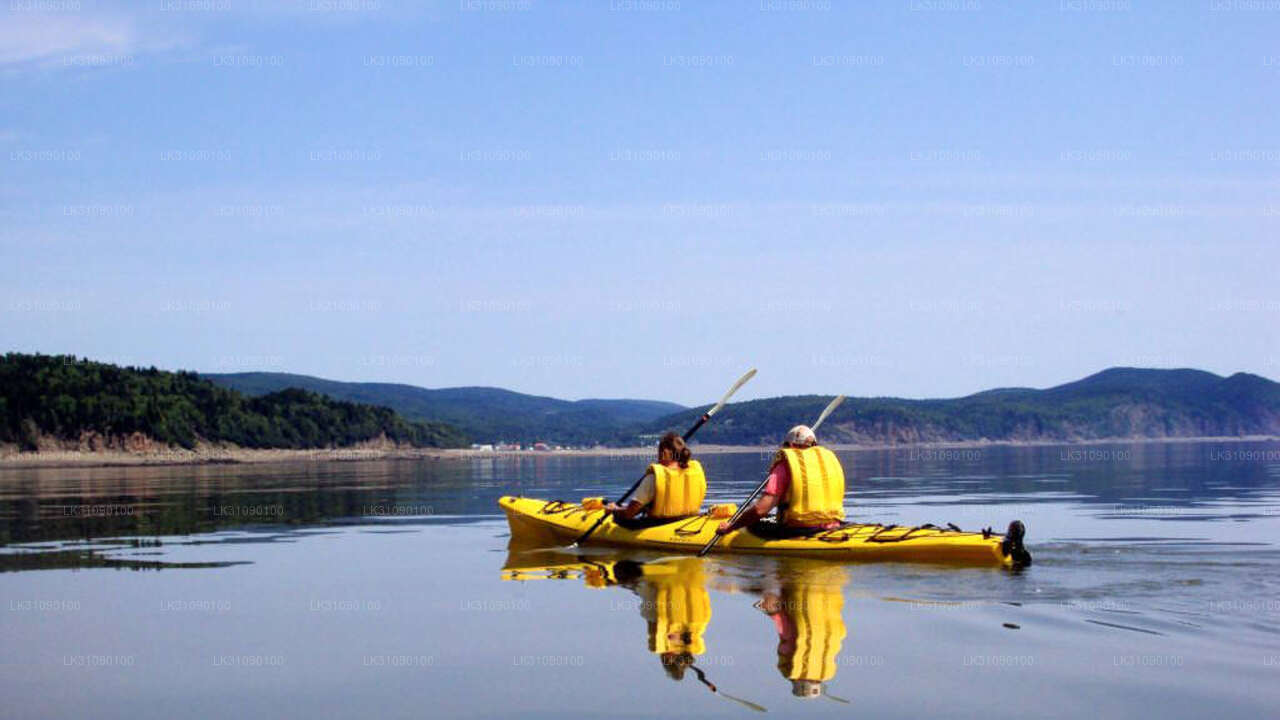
807, 486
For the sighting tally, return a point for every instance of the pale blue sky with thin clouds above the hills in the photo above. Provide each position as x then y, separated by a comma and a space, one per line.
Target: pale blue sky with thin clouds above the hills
644, 199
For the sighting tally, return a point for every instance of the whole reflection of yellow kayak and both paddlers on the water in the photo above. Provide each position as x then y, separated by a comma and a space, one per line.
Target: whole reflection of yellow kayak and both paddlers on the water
803, 600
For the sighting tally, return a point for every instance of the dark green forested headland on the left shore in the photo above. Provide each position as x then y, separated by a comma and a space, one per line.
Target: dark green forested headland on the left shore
68, 400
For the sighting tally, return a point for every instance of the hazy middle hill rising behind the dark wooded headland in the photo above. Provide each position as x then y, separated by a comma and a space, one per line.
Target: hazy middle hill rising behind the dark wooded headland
486, 414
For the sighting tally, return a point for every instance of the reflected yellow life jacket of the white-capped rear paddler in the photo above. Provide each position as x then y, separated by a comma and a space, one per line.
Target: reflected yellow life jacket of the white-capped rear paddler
816, 612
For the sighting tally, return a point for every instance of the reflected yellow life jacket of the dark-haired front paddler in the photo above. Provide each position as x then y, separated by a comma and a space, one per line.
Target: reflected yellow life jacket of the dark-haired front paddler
680, 610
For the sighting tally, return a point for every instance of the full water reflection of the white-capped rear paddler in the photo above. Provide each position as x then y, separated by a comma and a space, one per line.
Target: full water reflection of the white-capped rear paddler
807, 608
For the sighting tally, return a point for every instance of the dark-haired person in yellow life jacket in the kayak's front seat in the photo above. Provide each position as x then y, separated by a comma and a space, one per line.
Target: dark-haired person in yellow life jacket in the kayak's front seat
673, 489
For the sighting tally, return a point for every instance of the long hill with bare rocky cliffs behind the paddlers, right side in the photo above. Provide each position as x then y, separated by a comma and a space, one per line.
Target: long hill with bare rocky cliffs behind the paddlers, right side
1119, 403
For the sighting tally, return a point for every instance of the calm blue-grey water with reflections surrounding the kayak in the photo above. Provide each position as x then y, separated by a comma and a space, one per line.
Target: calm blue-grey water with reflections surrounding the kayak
386, 590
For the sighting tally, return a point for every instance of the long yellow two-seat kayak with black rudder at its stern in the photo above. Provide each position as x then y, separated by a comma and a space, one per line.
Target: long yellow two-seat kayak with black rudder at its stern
552, 522
